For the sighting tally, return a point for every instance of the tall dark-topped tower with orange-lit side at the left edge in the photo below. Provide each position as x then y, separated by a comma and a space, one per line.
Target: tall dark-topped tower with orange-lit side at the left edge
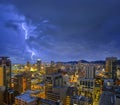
5, 72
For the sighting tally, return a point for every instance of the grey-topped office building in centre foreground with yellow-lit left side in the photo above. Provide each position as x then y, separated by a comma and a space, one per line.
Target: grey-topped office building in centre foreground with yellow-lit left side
52, 82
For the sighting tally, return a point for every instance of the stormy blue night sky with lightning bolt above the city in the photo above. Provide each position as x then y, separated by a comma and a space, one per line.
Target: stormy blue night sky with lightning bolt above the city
59, 30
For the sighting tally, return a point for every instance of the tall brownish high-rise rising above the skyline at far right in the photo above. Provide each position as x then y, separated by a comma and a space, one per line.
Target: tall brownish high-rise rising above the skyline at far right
111, 69
